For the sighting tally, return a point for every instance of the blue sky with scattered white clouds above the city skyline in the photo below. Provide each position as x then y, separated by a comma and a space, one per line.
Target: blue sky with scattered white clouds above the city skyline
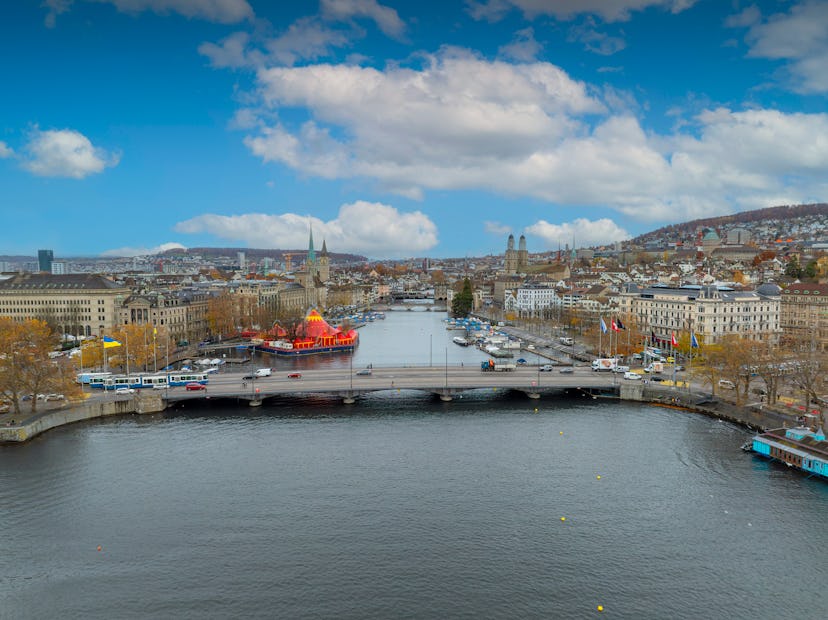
401, 128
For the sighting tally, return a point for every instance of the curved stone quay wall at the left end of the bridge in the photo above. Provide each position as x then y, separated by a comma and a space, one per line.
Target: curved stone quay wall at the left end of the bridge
31, 426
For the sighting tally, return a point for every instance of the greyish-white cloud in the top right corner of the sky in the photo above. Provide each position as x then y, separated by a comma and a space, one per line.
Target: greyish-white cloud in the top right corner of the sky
800, 37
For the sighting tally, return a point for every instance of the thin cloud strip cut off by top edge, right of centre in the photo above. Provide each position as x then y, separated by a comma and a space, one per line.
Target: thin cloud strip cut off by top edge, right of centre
608, 10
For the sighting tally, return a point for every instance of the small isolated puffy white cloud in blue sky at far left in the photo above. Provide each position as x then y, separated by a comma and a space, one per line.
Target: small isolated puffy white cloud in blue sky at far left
65, 153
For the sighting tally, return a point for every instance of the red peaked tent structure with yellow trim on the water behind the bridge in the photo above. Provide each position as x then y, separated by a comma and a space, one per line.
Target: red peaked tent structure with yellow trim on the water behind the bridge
313, 335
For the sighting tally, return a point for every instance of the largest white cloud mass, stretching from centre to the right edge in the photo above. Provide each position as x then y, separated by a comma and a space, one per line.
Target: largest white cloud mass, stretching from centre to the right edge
529, 129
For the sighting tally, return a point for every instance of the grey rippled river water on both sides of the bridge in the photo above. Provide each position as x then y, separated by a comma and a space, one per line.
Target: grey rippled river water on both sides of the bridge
402, 506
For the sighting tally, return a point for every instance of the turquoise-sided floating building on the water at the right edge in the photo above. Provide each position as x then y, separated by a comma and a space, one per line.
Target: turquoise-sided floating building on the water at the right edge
798, 447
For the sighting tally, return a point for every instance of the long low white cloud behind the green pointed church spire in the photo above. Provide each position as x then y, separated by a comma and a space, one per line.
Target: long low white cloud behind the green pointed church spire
360, 227
